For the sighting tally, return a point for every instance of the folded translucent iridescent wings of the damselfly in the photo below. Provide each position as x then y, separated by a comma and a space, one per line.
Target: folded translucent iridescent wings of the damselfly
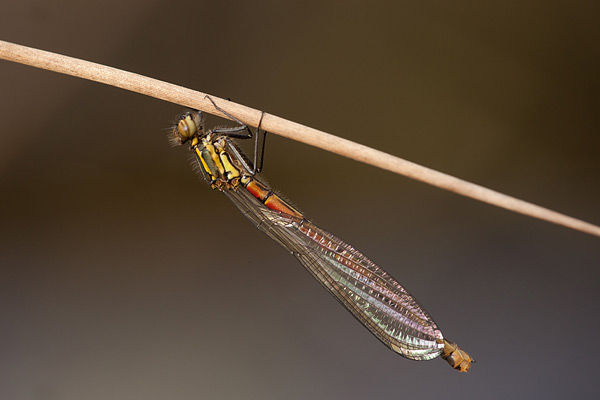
374, 297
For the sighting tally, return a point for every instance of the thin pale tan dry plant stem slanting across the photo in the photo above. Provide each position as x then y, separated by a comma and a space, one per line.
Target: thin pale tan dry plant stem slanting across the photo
198, 100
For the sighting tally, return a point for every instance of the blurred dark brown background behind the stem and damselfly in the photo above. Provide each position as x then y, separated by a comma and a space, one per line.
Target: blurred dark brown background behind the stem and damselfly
123, 276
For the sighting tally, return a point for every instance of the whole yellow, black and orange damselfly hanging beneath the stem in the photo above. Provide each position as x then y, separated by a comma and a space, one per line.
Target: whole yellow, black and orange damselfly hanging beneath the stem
375, 298
